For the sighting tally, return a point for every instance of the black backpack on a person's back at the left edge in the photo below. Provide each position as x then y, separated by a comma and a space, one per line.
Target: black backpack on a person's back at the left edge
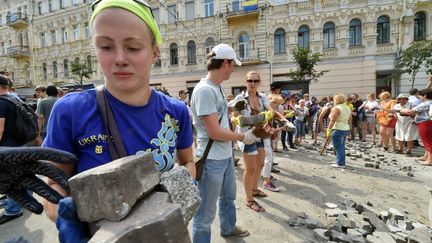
25, 128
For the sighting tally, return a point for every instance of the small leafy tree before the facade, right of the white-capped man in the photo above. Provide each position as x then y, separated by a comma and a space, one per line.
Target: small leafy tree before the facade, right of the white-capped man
306, 62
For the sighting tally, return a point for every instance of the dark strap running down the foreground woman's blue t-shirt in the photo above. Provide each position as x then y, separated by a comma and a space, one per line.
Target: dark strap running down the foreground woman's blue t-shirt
115, 143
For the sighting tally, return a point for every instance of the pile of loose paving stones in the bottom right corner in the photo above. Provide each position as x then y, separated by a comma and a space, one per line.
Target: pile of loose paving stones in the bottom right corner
357, 223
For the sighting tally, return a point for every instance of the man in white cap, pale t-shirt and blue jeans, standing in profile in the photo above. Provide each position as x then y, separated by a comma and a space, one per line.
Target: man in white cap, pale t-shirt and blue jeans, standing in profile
210, 118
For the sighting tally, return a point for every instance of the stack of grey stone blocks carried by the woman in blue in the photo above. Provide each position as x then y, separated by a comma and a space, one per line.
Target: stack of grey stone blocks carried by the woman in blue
128, 200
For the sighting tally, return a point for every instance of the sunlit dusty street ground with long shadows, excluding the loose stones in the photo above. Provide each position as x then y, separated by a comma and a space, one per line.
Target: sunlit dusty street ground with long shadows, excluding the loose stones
306, 183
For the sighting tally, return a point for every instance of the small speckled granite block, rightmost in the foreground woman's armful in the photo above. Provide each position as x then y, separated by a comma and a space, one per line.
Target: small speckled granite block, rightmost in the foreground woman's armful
182, 191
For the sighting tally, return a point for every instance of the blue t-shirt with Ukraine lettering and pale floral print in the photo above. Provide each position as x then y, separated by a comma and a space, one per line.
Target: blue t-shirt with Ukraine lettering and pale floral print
159, 127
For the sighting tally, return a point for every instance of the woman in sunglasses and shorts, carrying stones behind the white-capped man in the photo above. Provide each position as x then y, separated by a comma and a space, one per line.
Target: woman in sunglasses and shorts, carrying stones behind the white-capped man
253, 154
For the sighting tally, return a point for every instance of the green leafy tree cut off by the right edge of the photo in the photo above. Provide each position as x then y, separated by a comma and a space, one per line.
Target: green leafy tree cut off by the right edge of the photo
412, 59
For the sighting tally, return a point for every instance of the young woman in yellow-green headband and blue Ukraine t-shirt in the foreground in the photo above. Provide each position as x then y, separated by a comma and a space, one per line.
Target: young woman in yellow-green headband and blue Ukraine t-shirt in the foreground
126, 40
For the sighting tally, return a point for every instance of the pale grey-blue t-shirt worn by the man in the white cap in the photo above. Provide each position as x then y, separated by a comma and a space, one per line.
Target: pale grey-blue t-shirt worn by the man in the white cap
208, 98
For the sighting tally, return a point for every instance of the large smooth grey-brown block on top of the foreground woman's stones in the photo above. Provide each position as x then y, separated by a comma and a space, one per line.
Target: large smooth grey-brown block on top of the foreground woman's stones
109, 191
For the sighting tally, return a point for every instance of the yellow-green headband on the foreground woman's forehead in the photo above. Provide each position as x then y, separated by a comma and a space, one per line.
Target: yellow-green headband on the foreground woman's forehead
143, 13
